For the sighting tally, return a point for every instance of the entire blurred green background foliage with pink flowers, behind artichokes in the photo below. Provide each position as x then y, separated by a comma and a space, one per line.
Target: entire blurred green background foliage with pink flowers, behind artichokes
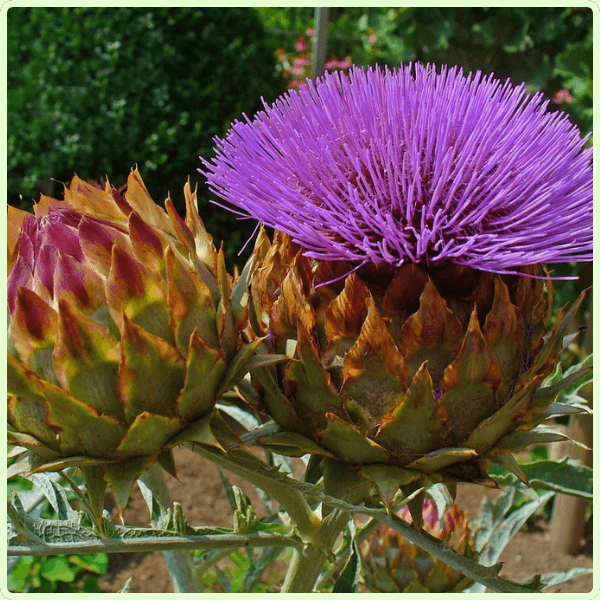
94, 91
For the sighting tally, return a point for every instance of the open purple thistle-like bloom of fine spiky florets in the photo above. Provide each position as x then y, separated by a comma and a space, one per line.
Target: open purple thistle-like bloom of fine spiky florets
413, 165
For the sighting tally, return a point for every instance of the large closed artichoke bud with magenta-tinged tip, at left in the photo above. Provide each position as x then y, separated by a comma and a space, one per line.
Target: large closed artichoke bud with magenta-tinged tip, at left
124, 330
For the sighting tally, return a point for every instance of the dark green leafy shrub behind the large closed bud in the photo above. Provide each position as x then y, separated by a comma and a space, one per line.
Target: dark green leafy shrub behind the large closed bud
94, 91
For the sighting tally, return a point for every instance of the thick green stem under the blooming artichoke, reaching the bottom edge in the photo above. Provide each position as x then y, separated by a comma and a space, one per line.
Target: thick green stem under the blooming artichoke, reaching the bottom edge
306, 565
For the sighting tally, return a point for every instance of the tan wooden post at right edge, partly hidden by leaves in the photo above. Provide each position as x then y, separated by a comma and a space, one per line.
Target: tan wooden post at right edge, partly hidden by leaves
568, 518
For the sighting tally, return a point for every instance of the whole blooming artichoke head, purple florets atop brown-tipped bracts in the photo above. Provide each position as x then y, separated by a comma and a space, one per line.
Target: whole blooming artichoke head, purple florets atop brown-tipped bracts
414, 211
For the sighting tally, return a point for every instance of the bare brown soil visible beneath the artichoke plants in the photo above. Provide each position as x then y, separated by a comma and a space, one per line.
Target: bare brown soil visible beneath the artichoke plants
204, 502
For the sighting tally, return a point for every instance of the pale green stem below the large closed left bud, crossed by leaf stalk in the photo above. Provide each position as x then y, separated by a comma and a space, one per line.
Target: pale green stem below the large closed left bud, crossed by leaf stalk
179, 562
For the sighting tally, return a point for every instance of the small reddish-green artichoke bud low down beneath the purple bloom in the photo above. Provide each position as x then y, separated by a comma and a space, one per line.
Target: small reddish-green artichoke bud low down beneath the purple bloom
390, 563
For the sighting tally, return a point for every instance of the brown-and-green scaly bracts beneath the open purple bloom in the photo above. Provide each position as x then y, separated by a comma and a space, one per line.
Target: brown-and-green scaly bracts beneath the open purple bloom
404, 376
